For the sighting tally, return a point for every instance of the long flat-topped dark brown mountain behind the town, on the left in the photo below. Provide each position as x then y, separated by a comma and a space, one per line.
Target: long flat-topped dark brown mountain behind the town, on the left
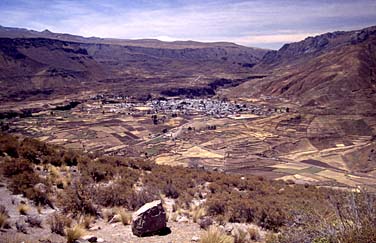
40, 64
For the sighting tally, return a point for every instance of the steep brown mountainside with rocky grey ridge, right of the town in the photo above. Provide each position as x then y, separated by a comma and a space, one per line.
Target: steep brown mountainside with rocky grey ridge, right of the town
334, 70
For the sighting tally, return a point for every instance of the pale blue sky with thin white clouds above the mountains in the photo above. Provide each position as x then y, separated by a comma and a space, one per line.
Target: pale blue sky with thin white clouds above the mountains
257, 23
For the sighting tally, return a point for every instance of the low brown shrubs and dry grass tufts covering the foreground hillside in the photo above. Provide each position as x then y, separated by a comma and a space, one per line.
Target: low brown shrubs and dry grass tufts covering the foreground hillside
317, 214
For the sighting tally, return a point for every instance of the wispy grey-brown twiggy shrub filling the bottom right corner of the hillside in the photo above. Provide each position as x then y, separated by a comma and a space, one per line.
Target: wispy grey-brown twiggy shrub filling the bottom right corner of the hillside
352, 218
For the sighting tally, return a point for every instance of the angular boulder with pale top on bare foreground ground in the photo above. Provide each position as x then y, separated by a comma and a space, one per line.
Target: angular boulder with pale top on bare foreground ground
149, 219
